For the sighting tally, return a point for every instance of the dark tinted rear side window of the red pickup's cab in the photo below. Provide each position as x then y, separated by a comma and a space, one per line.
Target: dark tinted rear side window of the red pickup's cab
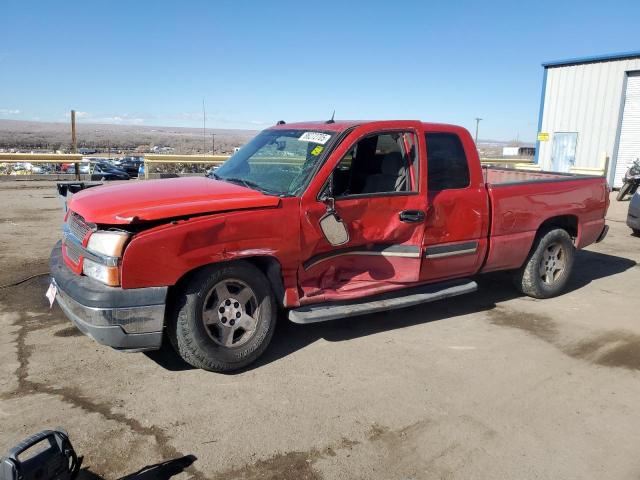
447, 166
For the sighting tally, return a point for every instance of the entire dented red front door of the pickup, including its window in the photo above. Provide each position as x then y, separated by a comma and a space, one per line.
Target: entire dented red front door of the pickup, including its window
372, 190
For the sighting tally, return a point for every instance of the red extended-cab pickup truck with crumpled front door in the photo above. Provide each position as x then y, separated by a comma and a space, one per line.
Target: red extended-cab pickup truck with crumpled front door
324, 220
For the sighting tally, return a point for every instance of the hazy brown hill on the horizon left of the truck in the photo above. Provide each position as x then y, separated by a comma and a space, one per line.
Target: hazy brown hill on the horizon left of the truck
57, 136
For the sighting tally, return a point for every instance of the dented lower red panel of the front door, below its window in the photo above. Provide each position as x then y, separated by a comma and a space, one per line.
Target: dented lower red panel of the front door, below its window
381, 248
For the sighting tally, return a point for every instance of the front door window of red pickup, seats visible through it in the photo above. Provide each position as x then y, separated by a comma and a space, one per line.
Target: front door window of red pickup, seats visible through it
378, 164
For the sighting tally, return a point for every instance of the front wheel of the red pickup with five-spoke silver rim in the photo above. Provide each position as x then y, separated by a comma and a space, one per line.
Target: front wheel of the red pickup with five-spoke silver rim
224, 318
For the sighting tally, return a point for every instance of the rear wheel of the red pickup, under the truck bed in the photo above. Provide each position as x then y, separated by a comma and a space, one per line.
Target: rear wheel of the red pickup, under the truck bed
540, 263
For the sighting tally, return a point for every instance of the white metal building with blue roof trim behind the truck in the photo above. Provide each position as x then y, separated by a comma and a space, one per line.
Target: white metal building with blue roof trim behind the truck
589, 118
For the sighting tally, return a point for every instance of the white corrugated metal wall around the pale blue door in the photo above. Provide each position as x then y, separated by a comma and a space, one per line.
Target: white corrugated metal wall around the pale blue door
585, 98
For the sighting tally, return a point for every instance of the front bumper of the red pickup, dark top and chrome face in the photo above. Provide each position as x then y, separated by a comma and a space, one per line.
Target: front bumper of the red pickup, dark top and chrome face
125, 319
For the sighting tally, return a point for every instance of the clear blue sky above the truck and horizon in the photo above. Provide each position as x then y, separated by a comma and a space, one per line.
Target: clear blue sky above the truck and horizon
152, 63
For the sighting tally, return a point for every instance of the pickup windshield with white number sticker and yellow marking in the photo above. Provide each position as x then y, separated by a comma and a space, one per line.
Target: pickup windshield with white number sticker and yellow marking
277, 162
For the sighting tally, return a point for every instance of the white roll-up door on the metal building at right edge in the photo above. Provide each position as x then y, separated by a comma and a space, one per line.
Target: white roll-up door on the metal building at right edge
629, 142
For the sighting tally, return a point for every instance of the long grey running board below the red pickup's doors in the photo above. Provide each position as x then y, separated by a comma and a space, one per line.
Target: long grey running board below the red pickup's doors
321, 312
